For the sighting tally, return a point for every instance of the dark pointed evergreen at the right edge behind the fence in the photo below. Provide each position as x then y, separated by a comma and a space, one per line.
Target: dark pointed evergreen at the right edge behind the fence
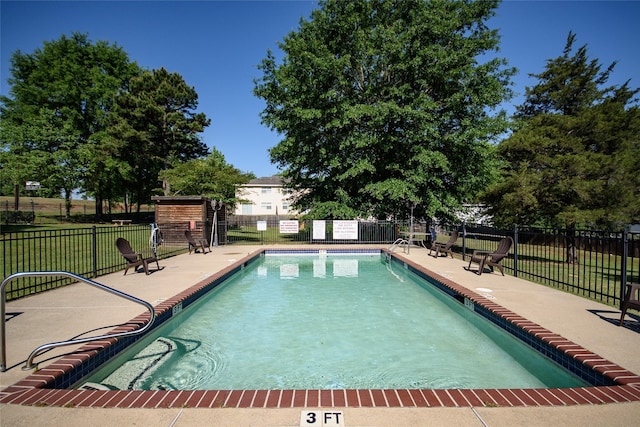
572, 160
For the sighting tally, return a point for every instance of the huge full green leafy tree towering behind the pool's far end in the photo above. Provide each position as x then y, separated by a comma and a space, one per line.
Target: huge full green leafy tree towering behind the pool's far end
385, 104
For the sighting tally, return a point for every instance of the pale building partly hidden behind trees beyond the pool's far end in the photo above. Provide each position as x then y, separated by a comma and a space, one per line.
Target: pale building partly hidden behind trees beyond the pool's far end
265, 196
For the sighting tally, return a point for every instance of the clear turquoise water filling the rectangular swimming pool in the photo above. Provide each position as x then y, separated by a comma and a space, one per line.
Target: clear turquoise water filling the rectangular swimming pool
329, 322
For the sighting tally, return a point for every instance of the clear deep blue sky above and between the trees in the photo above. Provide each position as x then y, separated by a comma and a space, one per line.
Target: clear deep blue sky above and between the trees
217, 45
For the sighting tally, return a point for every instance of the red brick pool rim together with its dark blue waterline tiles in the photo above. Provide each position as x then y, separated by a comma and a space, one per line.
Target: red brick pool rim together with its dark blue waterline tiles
50, 386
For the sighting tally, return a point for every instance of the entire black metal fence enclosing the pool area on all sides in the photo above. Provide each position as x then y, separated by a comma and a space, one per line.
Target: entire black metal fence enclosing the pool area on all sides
593, 264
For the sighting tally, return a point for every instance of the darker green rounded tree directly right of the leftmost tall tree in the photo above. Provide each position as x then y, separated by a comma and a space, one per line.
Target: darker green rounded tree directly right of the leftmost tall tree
154, 125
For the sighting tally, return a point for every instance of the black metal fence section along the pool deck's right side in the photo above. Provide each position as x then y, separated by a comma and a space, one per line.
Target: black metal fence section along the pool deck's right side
593, 264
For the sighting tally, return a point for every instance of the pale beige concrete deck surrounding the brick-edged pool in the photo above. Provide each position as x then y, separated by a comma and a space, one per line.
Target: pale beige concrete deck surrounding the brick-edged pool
73, 310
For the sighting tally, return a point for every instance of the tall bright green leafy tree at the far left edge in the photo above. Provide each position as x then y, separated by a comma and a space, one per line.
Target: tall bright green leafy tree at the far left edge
60, 95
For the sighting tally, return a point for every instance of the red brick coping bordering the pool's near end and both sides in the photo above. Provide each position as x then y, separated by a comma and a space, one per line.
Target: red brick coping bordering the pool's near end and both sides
35, 390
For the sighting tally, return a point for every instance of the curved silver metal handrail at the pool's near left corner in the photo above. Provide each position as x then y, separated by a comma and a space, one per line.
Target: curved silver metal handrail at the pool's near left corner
29, 364
